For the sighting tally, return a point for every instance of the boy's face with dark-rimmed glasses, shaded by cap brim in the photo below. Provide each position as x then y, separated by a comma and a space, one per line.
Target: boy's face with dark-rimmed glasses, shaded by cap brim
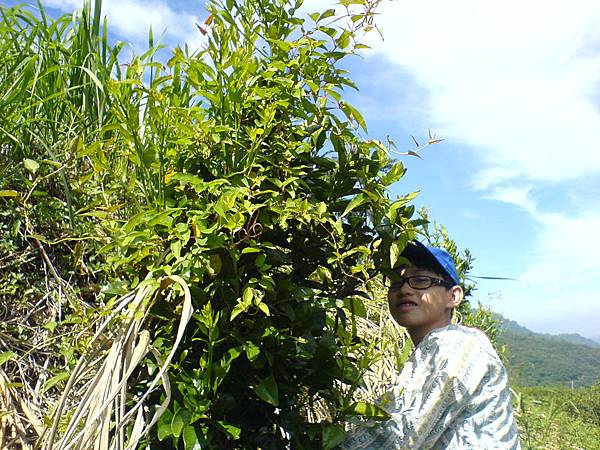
421, 310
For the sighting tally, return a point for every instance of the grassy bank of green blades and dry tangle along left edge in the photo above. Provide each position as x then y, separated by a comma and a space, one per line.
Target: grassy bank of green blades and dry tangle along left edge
64, 97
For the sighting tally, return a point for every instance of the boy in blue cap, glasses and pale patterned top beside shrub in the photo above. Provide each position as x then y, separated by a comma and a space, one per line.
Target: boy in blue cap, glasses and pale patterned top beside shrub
453, 391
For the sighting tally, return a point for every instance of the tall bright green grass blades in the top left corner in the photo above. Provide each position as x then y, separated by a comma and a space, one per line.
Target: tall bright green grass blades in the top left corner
54, 78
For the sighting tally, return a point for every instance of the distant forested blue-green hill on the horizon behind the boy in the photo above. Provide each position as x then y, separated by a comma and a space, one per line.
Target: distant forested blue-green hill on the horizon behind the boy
536, 359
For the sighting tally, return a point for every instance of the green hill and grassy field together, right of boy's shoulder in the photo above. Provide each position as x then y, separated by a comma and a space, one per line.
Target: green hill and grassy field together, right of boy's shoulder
545, 370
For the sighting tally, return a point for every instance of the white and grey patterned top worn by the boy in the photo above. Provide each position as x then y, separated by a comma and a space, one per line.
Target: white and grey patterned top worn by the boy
452, 394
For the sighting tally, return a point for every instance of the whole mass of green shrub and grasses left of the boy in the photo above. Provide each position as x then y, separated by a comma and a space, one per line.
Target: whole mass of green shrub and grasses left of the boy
239, 168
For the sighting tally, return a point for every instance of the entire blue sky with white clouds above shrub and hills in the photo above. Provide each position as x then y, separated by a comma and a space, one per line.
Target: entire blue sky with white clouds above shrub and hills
513, 88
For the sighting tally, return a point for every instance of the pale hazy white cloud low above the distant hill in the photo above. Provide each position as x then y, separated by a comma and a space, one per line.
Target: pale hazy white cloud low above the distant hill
558, 290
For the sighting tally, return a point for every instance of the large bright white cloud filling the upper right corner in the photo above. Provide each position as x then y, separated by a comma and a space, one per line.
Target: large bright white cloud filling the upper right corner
514, 80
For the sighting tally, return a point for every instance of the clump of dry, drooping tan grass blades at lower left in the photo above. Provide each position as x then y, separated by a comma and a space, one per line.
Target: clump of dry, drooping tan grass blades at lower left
103, 413
